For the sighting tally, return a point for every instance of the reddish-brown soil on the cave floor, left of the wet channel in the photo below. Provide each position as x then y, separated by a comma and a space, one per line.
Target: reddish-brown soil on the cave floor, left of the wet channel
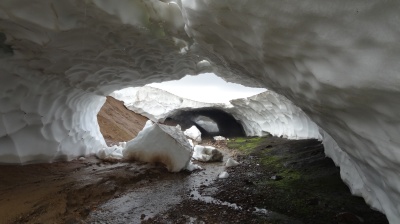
67, 192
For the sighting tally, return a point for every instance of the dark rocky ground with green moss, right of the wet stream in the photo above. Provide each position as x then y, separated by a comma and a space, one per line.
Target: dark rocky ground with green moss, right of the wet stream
278, 181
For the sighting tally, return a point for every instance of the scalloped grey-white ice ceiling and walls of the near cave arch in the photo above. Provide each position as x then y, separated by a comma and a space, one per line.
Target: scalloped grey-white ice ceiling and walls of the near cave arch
336, 60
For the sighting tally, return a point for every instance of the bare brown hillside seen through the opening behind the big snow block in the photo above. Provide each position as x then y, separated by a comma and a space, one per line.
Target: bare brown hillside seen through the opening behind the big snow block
118, 124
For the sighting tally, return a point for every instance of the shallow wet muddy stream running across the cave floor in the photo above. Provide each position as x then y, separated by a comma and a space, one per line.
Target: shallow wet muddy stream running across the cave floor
153, 196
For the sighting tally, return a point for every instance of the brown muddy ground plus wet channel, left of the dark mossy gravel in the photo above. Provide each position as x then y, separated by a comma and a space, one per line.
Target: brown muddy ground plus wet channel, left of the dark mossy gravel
87, 191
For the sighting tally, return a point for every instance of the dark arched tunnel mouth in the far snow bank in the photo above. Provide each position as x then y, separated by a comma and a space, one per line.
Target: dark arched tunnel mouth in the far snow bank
210, 122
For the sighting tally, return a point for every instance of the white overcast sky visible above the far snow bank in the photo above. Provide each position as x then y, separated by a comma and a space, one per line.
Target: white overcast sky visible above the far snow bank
207, 88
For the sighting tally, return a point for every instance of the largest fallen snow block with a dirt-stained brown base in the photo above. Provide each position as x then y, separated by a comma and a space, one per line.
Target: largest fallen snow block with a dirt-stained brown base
160, 143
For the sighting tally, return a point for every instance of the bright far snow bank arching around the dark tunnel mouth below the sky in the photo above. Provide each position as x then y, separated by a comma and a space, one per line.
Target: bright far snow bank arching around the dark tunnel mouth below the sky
263, 113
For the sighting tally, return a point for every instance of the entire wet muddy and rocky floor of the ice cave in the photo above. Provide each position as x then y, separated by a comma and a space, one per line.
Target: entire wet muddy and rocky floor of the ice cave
278, 181
